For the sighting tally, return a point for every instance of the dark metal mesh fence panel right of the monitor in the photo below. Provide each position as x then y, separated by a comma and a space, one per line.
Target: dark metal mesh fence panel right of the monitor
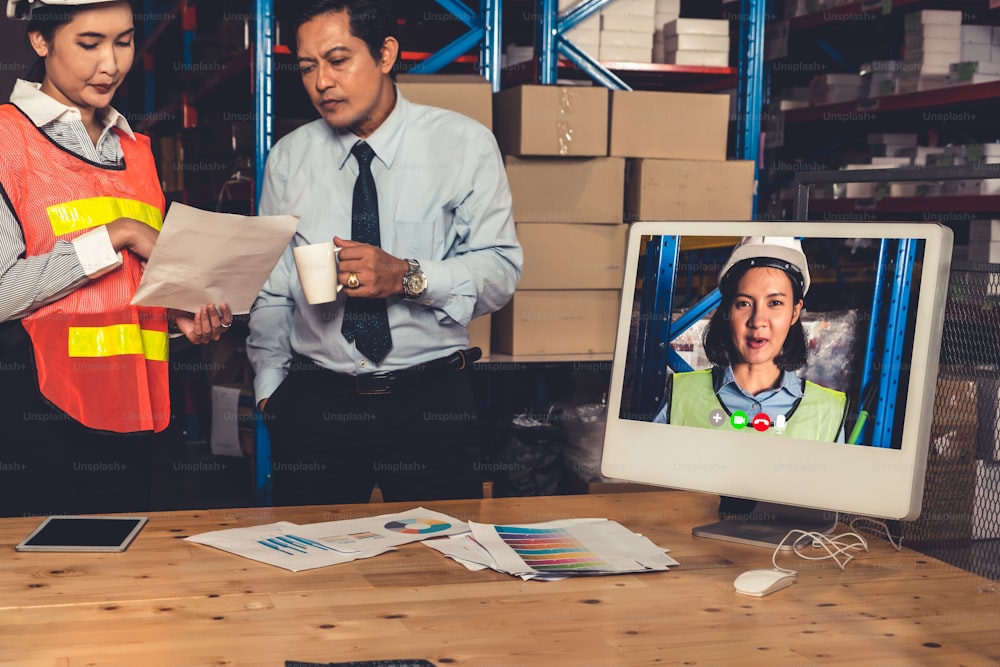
960, 520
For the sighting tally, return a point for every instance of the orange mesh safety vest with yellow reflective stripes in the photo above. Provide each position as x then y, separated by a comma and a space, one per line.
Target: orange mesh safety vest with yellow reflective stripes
100, 360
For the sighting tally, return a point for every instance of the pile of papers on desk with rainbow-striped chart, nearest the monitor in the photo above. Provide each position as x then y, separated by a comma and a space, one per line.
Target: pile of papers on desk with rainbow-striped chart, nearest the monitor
556, 549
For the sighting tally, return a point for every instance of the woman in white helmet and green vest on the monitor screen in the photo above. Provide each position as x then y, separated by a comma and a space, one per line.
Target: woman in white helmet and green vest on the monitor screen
756, 342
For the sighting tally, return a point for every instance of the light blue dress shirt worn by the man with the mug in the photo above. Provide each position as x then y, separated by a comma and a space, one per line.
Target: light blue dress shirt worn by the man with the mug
443, 200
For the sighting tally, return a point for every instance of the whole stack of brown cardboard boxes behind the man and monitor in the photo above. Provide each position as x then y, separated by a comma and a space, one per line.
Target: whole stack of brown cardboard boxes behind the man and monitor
567, 150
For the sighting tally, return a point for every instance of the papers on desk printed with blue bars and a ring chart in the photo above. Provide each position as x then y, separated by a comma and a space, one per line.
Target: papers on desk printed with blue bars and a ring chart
304, 547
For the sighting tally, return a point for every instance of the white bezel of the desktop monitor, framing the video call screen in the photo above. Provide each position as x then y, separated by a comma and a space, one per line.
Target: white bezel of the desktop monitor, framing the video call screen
872, 481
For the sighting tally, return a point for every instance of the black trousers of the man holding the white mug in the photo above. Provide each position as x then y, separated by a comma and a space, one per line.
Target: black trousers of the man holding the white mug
332, 445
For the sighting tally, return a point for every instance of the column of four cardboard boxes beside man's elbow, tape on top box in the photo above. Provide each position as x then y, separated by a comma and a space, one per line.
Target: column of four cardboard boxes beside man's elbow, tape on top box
568, 208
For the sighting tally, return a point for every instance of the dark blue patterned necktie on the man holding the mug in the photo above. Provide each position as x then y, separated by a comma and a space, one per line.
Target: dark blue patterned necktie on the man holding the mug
366, 322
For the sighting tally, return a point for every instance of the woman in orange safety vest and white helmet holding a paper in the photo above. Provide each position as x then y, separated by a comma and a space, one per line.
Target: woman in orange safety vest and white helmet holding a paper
84, 394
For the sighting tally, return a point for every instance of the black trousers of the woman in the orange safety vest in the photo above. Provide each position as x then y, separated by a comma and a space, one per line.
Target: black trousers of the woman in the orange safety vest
50, 464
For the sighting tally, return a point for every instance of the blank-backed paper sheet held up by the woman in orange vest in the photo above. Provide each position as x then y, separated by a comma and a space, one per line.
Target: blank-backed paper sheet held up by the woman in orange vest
202, 257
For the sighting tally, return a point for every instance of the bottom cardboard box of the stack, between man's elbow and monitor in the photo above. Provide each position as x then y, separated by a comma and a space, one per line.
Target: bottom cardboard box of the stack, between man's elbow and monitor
557, 322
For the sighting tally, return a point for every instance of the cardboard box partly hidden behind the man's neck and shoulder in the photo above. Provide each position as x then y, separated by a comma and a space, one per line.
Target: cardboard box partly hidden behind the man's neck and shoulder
468, 94
